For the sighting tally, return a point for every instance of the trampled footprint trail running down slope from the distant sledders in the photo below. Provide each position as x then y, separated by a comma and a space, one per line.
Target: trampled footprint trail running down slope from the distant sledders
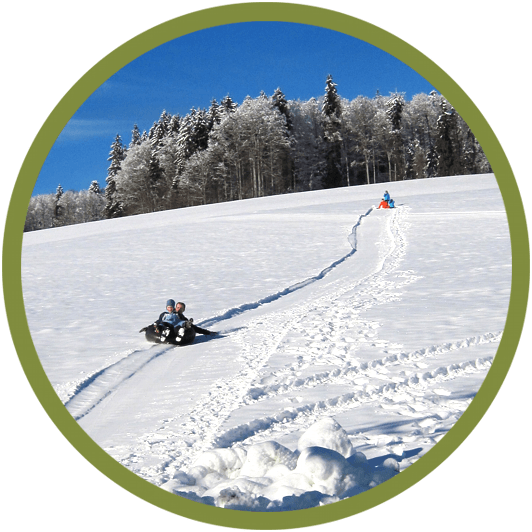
262, 338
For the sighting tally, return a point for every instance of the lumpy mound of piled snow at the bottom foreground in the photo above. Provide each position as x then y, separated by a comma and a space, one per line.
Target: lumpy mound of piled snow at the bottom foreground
270, 477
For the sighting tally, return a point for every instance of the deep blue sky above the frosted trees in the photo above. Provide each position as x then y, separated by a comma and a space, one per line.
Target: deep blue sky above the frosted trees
236, 59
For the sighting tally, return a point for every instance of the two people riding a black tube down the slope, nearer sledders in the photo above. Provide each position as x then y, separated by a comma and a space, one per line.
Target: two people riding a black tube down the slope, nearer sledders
172, 327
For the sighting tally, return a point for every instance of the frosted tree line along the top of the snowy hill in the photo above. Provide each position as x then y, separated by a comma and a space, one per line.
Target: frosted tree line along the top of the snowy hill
271, 145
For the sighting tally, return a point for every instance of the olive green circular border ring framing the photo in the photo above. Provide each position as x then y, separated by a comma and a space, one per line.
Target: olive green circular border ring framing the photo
173, 28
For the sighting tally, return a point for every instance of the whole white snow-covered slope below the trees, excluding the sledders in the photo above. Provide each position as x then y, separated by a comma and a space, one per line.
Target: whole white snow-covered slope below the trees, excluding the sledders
352, 338
